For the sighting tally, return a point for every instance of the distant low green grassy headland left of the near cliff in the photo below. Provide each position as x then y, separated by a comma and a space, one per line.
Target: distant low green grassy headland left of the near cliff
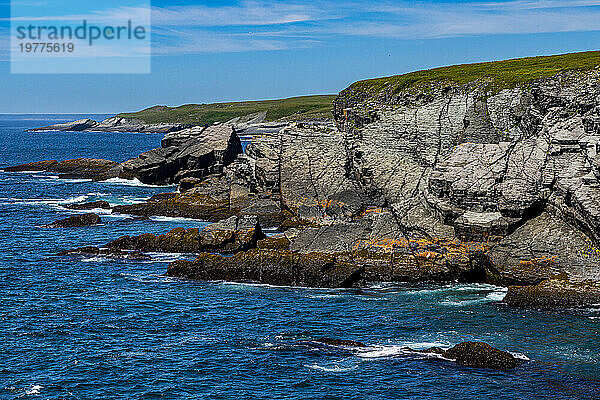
203, 114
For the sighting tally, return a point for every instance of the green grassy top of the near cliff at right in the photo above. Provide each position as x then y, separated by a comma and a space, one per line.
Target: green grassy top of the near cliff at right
500, 74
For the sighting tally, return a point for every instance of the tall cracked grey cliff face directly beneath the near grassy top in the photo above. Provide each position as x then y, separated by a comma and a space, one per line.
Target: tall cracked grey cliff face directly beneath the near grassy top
515, 165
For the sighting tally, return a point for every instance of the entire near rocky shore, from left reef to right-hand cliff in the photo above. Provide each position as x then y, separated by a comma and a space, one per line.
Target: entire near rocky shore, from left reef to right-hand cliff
448, 183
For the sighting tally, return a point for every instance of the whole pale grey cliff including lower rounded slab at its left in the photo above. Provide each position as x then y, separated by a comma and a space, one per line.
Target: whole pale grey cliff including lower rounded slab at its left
515, 169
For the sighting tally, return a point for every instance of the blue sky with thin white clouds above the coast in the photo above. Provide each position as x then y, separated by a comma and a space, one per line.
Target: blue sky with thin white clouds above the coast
209, 51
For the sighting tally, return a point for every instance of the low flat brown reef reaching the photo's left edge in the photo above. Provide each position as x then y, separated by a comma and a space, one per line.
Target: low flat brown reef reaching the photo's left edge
86, 168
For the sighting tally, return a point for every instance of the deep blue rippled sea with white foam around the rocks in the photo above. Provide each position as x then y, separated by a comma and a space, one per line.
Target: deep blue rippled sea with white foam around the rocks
104, 329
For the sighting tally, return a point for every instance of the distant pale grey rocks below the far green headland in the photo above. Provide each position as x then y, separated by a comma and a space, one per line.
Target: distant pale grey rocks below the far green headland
113, 124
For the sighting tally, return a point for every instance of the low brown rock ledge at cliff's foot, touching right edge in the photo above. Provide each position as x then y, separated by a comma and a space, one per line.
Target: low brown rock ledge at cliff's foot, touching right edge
555, 293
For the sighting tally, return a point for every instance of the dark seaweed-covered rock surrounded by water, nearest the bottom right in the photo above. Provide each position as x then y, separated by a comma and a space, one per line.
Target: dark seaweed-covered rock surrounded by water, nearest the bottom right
477, 355
